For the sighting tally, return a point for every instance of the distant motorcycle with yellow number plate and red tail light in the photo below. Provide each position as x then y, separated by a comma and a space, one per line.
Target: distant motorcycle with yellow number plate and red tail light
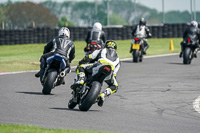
136, 49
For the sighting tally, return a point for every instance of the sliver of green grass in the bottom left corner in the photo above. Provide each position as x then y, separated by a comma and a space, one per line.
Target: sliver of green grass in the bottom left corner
7, 128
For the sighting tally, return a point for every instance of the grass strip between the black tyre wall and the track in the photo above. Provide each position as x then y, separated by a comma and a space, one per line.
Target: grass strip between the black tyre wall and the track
26, 57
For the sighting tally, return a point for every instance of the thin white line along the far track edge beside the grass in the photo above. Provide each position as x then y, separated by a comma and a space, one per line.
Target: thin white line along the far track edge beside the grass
6, 73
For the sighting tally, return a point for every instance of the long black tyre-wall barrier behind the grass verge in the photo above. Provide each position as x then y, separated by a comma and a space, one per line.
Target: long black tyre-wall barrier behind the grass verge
44, 35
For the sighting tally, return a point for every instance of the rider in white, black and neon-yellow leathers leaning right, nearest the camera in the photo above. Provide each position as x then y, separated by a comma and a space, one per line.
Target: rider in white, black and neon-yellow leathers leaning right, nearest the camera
106, 56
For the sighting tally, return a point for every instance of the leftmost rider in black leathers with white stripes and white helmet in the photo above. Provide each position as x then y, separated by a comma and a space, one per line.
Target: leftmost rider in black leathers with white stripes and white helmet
63, 45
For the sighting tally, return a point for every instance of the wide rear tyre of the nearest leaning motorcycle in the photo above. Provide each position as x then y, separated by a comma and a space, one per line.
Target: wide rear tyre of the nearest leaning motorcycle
86, 103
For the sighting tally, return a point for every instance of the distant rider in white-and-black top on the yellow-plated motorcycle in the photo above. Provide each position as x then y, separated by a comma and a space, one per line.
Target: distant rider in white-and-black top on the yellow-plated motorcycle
142, 31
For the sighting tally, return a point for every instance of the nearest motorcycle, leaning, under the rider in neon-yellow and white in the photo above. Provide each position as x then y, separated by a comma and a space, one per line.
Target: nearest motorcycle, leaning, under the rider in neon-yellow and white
88, 94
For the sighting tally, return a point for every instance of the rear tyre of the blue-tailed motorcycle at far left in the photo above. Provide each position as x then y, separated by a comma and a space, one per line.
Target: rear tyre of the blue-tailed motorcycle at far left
49, 82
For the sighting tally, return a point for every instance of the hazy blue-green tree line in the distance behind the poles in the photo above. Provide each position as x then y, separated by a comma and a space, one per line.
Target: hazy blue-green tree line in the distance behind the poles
86, 13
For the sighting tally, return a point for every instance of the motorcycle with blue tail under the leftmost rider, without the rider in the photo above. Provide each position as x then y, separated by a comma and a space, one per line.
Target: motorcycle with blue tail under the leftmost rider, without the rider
54, 73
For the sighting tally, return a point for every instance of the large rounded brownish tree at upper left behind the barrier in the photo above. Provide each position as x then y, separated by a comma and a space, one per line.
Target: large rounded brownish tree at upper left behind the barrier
21, 15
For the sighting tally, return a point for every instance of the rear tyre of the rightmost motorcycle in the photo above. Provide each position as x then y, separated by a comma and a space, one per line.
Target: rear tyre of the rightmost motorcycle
187, 55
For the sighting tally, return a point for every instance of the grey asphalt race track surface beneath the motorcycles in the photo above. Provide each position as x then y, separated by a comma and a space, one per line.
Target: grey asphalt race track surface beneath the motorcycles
155, 96
